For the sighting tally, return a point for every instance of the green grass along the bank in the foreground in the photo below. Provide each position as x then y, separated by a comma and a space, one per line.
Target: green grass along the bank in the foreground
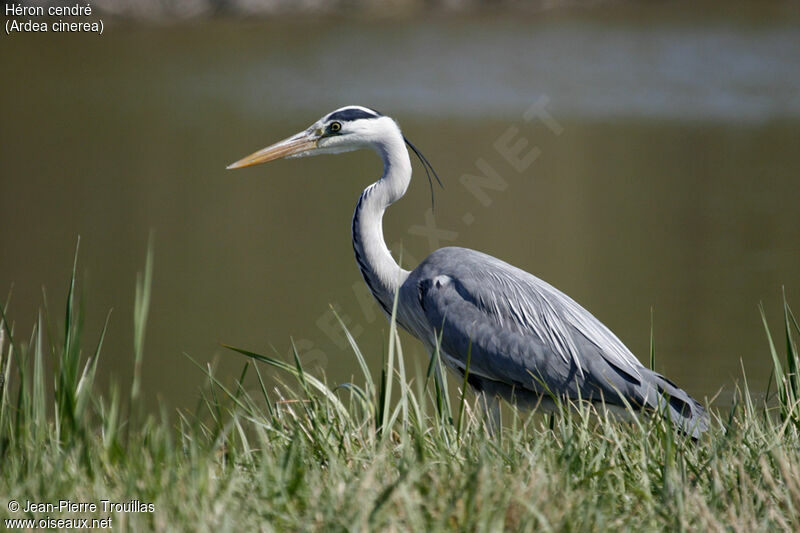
396, 453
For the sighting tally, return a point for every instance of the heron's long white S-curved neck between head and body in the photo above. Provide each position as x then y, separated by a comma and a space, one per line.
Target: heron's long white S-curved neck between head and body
381, 272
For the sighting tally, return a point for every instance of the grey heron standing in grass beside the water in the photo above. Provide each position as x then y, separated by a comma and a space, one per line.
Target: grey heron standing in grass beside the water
527, 341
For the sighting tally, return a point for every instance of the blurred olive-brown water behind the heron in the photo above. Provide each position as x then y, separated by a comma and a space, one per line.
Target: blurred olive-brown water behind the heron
667, 179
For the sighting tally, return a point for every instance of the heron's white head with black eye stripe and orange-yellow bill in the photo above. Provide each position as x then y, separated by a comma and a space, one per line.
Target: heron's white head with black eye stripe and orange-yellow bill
348, 128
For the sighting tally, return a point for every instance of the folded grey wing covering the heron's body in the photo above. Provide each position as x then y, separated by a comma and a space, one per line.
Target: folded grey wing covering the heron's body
519, 330
